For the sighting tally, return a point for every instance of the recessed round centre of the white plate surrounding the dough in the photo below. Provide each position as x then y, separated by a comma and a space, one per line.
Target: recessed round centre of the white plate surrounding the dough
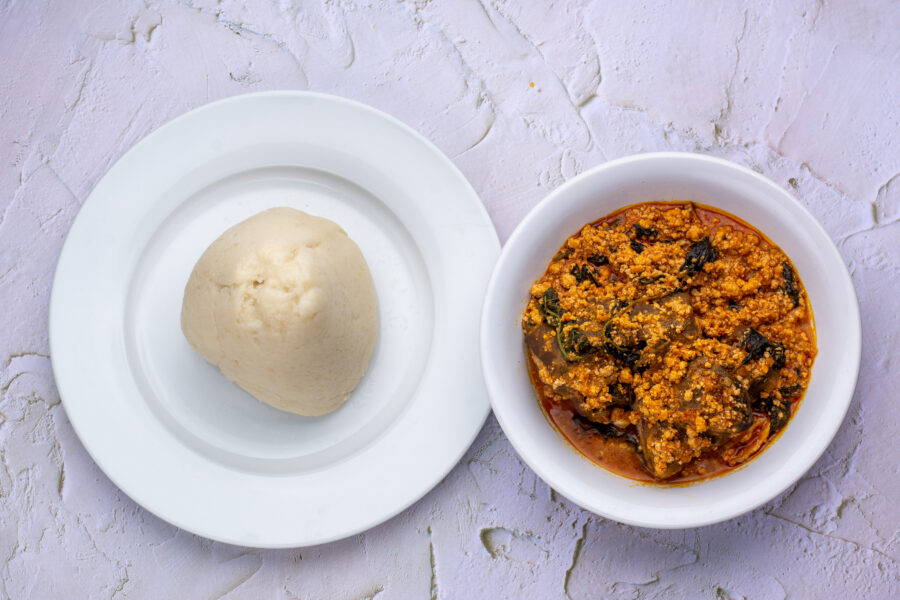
214, 416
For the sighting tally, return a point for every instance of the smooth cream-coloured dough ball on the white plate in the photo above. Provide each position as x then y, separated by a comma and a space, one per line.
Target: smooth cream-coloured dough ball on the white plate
284, 305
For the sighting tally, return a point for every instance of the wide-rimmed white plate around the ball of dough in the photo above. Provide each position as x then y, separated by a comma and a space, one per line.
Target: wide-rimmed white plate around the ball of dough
195, 449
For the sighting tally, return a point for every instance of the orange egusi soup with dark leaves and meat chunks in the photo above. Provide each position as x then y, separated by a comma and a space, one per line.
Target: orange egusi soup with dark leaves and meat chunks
669, 342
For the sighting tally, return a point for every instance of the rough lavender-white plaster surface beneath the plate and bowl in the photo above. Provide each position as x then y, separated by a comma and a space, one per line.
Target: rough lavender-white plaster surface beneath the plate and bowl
807, 93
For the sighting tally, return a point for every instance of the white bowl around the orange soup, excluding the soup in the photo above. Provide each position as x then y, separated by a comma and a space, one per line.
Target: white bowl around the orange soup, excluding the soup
671, 176
